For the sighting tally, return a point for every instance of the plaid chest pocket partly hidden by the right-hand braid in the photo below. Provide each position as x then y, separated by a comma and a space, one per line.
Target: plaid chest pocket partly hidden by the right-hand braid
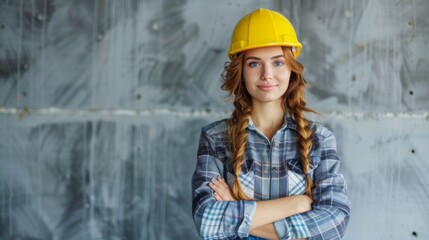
296, 177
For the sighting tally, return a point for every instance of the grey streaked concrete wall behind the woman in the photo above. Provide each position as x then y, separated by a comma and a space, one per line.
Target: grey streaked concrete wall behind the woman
102, 102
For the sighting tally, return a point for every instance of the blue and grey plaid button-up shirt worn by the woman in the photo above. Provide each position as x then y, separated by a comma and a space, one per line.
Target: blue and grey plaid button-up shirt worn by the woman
271, 170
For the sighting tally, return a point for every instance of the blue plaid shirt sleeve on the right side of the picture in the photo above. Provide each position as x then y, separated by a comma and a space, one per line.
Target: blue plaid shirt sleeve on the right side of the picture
330, 212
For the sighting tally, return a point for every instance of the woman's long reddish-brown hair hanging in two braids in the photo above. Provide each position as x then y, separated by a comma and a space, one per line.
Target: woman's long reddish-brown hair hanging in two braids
293, 102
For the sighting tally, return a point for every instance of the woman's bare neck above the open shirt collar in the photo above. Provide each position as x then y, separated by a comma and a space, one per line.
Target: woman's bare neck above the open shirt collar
268, 117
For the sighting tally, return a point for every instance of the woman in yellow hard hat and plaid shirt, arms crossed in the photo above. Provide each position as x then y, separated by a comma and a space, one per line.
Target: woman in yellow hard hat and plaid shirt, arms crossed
267, 172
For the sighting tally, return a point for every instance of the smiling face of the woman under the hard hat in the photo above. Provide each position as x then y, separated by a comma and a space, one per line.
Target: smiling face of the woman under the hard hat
265, 73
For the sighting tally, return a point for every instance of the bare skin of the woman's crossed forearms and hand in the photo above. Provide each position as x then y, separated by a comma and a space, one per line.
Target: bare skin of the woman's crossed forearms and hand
266, 212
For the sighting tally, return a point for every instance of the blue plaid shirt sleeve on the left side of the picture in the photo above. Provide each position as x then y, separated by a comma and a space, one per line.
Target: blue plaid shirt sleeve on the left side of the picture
213, 219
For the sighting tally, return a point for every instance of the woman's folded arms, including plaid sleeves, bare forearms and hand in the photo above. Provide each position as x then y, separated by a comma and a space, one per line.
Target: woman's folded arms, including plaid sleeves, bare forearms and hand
223, 218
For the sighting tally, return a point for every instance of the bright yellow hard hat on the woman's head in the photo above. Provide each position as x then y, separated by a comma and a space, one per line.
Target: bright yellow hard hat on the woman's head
263, 28
